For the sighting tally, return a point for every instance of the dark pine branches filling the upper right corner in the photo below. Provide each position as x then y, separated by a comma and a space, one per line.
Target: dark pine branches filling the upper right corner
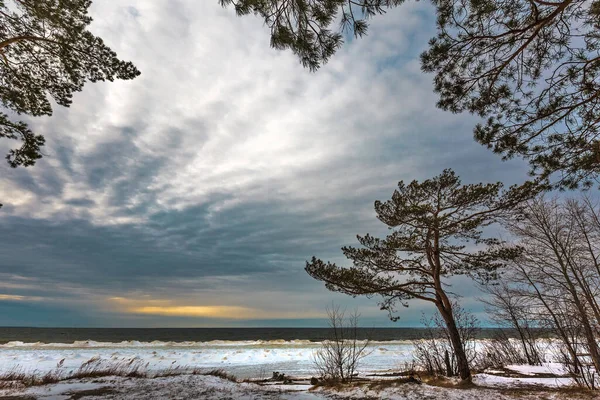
532, 69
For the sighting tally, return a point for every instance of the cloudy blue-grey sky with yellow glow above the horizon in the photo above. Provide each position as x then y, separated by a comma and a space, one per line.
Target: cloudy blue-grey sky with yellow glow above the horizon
193, 195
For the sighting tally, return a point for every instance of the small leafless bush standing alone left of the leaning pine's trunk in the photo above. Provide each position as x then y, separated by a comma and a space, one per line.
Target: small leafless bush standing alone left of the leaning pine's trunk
339, 356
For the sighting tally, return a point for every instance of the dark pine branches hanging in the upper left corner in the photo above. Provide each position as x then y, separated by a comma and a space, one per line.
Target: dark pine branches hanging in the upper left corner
47, 51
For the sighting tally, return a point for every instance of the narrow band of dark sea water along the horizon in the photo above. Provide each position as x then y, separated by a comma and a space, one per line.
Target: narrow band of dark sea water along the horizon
69, 335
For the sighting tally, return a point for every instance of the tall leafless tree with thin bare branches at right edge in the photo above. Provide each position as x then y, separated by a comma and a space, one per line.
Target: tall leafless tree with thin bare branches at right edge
558, 270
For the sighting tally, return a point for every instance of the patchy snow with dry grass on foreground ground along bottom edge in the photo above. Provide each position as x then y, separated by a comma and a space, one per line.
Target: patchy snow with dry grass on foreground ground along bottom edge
213, 388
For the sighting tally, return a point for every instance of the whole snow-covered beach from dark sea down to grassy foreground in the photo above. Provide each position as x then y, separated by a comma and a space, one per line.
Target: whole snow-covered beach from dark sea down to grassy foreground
248, 361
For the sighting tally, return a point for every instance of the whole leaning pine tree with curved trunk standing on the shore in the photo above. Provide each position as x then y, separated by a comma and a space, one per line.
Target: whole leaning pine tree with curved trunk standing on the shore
436, 233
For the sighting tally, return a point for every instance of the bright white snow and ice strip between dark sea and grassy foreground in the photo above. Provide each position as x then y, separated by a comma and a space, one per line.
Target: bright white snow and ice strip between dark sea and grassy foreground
245, 359
